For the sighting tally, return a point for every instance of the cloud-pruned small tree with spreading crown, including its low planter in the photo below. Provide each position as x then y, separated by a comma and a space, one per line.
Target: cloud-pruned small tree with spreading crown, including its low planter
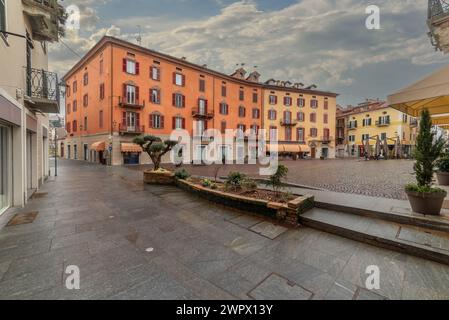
156, 149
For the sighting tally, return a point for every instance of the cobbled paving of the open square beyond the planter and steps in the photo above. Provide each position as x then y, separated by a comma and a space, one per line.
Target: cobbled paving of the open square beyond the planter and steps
384, 179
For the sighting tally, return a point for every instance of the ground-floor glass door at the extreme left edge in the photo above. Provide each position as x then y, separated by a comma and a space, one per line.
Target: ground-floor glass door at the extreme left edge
5, 163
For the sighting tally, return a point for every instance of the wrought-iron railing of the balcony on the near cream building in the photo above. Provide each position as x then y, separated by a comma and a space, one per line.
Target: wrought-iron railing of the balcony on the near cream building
42, 84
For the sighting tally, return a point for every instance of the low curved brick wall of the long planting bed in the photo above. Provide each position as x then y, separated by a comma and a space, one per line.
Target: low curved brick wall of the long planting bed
283, 212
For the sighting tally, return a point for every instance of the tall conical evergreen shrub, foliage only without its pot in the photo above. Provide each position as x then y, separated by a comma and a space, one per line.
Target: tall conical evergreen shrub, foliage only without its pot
428, 149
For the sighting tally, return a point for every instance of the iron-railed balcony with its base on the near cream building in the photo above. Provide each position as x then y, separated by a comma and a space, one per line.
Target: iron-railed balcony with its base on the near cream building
42, 90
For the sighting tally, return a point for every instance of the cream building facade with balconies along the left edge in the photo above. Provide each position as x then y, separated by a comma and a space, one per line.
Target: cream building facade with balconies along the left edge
28, 93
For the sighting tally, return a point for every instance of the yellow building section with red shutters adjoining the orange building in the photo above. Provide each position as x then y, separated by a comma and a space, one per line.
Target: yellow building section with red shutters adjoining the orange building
301, 120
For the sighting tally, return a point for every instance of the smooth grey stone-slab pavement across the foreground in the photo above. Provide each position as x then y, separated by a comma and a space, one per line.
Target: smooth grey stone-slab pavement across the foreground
132, 241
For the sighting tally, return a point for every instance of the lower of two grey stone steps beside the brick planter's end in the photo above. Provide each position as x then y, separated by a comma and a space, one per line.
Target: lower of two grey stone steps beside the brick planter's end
421, 242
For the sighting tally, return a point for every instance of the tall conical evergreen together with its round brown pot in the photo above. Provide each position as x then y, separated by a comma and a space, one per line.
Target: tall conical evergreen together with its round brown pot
423, 197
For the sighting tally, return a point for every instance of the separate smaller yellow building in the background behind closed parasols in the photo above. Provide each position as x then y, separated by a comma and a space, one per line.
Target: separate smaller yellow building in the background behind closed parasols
372, 119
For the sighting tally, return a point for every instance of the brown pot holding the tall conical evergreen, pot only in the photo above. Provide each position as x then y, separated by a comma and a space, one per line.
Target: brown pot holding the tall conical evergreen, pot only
426, 203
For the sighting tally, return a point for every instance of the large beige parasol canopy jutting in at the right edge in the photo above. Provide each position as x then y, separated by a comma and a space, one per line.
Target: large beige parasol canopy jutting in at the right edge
430, 93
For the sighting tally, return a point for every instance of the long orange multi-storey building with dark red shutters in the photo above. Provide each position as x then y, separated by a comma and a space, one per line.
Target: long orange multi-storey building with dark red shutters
120, 90
